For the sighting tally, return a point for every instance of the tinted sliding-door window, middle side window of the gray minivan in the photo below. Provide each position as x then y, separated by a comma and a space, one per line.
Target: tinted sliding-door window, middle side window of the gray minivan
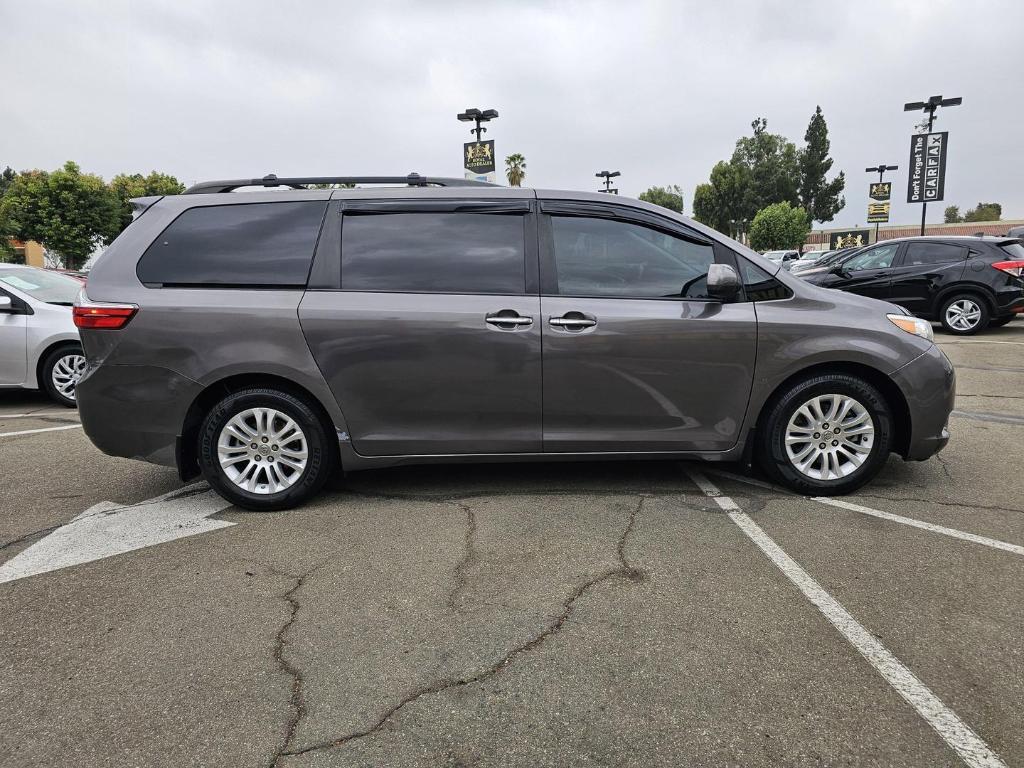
434, 253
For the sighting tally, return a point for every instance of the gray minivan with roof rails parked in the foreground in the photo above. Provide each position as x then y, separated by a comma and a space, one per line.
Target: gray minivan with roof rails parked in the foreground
268, 339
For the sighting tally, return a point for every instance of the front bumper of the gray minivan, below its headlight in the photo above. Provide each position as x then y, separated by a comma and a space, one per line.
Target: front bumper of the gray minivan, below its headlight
929, 385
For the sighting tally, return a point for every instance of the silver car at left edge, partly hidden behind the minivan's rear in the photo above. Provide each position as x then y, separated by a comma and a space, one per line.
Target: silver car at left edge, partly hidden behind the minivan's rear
39, 345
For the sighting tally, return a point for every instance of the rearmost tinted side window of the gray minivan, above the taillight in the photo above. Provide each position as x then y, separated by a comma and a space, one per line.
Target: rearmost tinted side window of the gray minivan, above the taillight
258, 244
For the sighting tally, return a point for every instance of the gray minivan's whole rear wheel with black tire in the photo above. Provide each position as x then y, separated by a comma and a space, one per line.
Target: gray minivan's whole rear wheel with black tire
284, 471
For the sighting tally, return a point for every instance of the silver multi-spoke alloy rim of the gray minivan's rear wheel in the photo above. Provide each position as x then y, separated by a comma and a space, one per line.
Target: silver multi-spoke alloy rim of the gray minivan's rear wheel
263, 451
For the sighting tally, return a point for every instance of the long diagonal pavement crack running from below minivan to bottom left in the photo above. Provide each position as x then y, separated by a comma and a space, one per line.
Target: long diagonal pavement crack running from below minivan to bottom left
622, 571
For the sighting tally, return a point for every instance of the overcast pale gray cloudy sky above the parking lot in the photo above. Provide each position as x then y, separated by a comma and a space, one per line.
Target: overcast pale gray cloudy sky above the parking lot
659, 91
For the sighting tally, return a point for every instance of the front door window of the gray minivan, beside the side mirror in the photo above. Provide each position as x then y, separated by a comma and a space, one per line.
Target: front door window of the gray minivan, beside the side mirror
606, 259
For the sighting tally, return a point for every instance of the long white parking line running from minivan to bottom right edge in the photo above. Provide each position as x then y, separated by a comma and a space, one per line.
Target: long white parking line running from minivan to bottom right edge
968, 745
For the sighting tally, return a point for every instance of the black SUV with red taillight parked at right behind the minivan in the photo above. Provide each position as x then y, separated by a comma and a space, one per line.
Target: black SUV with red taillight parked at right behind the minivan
967, 284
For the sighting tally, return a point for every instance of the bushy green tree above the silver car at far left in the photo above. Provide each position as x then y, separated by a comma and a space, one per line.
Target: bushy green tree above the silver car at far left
68, 211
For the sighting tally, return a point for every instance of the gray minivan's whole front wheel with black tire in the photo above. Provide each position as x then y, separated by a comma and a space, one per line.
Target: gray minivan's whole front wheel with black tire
788, 414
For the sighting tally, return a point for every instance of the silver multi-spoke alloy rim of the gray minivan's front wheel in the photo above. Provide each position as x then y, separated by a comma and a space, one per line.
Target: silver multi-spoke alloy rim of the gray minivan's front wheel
830, 437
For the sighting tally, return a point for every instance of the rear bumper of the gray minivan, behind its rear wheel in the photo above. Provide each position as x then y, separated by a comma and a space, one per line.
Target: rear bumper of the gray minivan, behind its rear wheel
136, 412
